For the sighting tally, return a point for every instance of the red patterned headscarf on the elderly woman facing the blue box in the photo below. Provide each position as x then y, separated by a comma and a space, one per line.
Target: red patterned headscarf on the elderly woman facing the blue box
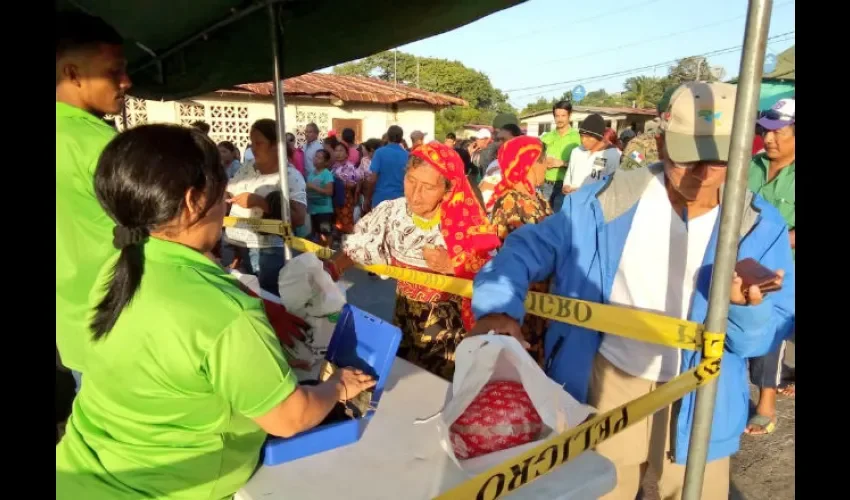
470, 238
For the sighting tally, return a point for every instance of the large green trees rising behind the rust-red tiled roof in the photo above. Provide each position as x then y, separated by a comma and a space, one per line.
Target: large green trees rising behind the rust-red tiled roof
437, 75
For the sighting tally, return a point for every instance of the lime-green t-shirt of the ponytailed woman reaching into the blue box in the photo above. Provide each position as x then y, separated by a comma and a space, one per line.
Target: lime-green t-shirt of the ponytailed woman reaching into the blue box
169, 393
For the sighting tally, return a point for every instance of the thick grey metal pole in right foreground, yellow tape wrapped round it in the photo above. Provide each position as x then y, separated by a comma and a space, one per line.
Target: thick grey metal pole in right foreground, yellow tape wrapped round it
743, 128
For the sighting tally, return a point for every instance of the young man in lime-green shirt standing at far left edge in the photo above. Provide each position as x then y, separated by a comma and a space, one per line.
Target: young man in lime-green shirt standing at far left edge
91, 81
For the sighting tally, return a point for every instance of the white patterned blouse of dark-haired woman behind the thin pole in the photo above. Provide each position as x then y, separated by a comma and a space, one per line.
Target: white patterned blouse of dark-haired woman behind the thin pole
249, 180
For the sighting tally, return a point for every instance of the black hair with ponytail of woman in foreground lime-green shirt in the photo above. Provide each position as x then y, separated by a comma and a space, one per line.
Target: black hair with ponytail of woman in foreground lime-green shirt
141, 181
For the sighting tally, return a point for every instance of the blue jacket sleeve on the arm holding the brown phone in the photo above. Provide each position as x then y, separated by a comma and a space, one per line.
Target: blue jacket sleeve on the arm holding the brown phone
754, 331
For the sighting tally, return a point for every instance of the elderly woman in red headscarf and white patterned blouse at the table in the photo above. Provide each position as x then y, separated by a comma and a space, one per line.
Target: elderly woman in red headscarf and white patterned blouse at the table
437, 227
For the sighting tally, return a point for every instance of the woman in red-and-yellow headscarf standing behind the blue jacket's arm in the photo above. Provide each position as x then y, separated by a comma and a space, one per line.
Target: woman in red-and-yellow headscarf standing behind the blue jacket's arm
516, 202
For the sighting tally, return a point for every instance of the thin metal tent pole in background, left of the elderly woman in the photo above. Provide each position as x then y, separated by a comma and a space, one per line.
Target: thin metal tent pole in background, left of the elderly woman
279, 107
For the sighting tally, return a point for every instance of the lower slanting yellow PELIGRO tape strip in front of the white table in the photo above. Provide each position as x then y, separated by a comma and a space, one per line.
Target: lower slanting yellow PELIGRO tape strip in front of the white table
521, 470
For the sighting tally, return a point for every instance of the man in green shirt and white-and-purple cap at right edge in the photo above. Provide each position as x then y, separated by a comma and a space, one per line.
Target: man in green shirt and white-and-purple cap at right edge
772, 176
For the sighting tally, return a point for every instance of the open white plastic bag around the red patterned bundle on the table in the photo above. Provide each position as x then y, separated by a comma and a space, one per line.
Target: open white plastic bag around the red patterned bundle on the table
485, 358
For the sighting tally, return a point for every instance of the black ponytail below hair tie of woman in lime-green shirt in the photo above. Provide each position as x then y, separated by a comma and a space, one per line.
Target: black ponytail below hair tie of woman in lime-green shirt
125, 280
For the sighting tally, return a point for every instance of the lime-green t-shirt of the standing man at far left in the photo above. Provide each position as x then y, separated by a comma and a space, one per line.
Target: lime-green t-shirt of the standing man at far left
83, 230
